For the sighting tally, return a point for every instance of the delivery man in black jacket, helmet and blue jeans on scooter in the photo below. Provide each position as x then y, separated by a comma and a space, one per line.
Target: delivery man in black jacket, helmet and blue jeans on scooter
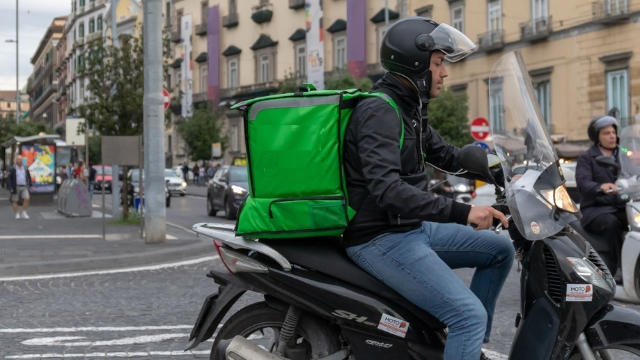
401, 234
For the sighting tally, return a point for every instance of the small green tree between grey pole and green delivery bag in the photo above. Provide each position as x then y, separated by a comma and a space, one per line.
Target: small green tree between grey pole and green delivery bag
200, 131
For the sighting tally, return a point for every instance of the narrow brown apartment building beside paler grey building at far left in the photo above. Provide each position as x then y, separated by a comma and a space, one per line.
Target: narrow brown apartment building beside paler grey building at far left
42, 84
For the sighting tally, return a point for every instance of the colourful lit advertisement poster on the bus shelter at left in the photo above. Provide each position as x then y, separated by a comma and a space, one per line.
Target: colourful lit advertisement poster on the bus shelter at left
40, 160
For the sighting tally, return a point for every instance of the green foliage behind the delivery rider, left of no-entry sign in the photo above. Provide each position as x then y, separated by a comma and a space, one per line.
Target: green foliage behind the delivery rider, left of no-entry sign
448, 115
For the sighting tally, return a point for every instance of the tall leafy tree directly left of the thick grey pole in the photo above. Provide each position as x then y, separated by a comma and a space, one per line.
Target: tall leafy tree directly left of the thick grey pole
107, 68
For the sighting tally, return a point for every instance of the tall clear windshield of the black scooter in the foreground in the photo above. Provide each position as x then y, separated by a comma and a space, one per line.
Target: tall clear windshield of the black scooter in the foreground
536, 196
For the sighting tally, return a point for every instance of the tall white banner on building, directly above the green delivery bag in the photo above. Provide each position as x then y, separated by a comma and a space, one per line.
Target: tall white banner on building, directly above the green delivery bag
315, 44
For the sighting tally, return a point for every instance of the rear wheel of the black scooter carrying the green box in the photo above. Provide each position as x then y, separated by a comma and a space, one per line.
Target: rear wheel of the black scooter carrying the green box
261, 324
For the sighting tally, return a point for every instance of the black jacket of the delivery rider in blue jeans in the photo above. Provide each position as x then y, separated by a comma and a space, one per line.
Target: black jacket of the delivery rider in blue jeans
386, 186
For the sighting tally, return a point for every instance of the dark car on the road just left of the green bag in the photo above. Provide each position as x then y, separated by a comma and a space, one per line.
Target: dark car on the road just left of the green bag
226, 191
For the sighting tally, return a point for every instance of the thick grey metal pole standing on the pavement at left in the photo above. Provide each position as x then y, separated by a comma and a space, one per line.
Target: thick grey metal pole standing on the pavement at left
155, 212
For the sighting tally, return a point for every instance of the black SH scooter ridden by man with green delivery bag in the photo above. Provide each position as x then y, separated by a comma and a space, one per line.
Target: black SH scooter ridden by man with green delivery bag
319, 305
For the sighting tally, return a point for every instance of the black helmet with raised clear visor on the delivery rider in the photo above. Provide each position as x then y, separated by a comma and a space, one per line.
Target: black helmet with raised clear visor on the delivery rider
407, 46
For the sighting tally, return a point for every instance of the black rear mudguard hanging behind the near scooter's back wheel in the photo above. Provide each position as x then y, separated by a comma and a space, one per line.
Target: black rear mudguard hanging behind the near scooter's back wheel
216, 306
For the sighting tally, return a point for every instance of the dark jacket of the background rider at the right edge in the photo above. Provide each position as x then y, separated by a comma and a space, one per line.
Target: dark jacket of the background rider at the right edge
590, 176
